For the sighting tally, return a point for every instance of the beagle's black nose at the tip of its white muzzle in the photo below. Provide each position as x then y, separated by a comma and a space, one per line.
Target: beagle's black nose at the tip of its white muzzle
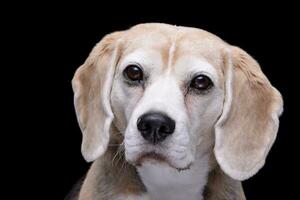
155, 127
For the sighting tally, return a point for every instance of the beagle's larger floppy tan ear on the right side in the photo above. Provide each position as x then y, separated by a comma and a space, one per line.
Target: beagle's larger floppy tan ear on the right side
248, 125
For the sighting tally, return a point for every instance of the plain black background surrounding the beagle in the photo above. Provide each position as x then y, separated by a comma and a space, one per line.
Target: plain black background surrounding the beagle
51, 41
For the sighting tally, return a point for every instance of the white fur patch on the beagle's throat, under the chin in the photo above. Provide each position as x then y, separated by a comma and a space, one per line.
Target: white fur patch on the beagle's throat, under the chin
163, 182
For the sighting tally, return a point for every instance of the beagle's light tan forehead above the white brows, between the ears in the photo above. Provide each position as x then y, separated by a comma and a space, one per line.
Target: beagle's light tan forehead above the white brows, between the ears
175, 42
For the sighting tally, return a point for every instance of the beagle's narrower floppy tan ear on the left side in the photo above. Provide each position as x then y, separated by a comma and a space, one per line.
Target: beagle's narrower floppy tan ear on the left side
92, 84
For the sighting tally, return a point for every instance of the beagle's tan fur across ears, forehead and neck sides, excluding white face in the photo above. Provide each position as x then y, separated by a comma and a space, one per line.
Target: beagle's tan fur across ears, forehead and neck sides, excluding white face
245, 131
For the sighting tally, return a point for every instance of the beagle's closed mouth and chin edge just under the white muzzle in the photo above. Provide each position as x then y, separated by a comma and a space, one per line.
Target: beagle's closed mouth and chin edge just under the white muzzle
154, 158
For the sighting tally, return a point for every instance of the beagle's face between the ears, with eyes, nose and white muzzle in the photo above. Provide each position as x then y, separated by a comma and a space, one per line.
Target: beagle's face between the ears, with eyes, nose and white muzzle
174, 84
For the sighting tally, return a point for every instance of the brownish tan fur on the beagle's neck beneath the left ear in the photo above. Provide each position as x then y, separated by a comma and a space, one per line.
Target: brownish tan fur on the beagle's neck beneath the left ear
110, 175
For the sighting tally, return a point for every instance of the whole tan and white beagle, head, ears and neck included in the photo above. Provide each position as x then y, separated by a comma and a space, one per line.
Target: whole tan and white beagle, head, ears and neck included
170, 112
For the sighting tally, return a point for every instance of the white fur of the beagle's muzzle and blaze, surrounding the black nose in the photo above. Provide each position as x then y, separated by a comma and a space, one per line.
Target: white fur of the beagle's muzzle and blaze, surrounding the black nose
163, 96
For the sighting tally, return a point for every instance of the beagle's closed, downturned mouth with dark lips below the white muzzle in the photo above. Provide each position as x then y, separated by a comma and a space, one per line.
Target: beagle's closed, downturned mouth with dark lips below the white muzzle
154, 157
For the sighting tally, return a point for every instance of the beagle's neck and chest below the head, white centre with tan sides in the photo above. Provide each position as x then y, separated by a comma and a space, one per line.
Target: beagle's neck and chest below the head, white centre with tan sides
110, 178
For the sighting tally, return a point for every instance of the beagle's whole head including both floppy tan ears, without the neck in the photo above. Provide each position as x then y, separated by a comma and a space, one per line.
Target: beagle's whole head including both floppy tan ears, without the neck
176, 93
